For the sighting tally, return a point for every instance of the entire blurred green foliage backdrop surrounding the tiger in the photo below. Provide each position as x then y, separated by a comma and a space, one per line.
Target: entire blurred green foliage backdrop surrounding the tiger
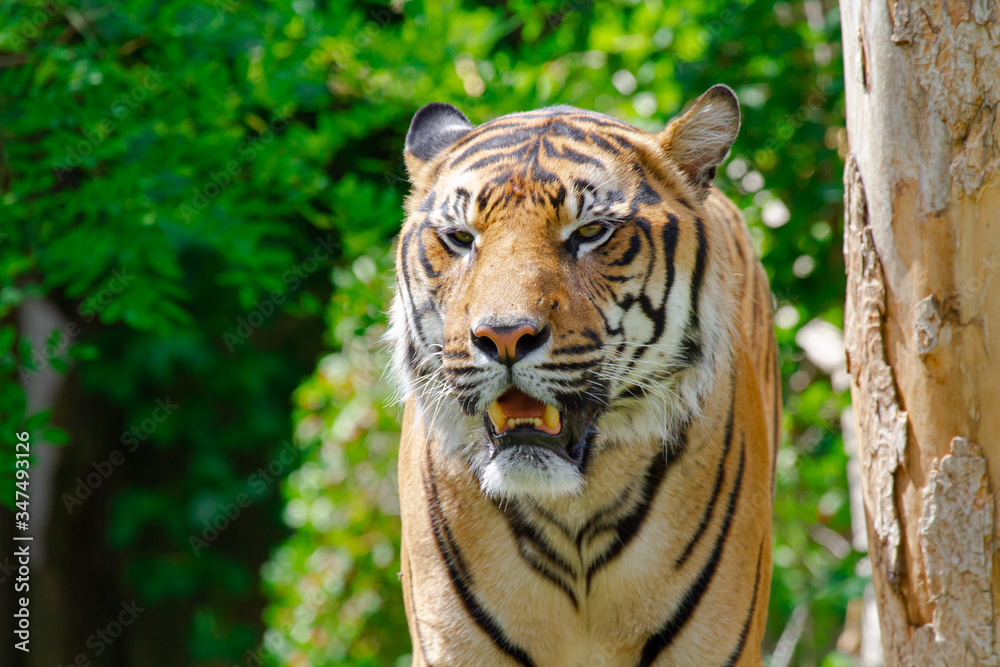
206, 152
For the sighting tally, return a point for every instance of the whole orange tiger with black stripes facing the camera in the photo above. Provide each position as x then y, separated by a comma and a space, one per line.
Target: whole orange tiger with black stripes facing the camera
582, 334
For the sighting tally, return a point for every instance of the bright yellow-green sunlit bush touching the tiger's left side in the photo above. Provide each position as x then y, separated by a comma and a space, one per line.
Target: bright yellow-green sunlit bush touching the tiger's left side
340, 599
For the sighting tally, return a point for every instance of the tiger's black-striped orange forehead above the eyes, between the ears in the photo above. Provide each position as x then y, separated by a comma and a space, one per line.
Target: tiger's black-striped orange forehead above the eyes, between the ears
560, 158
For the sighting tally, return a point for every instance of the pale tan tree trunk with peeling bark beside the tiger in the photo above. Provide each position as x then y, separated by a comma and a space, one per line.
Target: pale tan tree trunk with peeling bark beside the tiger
922, 245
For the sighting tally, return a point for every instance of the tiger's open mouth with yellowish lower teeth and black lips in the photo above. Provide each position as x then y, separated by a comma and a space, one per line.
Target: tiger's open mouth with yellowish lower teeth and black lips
518, 420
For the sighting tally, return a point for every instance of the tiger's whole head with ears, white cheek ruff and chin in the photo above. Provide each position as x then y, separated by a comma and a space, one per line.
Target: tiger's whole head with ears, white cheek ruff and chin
559, 288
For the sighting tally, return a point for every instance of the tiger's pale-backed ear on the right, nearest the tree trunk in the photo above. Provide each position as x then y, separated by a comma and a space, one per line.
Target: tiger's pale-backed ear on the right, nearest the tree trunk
699, 140
